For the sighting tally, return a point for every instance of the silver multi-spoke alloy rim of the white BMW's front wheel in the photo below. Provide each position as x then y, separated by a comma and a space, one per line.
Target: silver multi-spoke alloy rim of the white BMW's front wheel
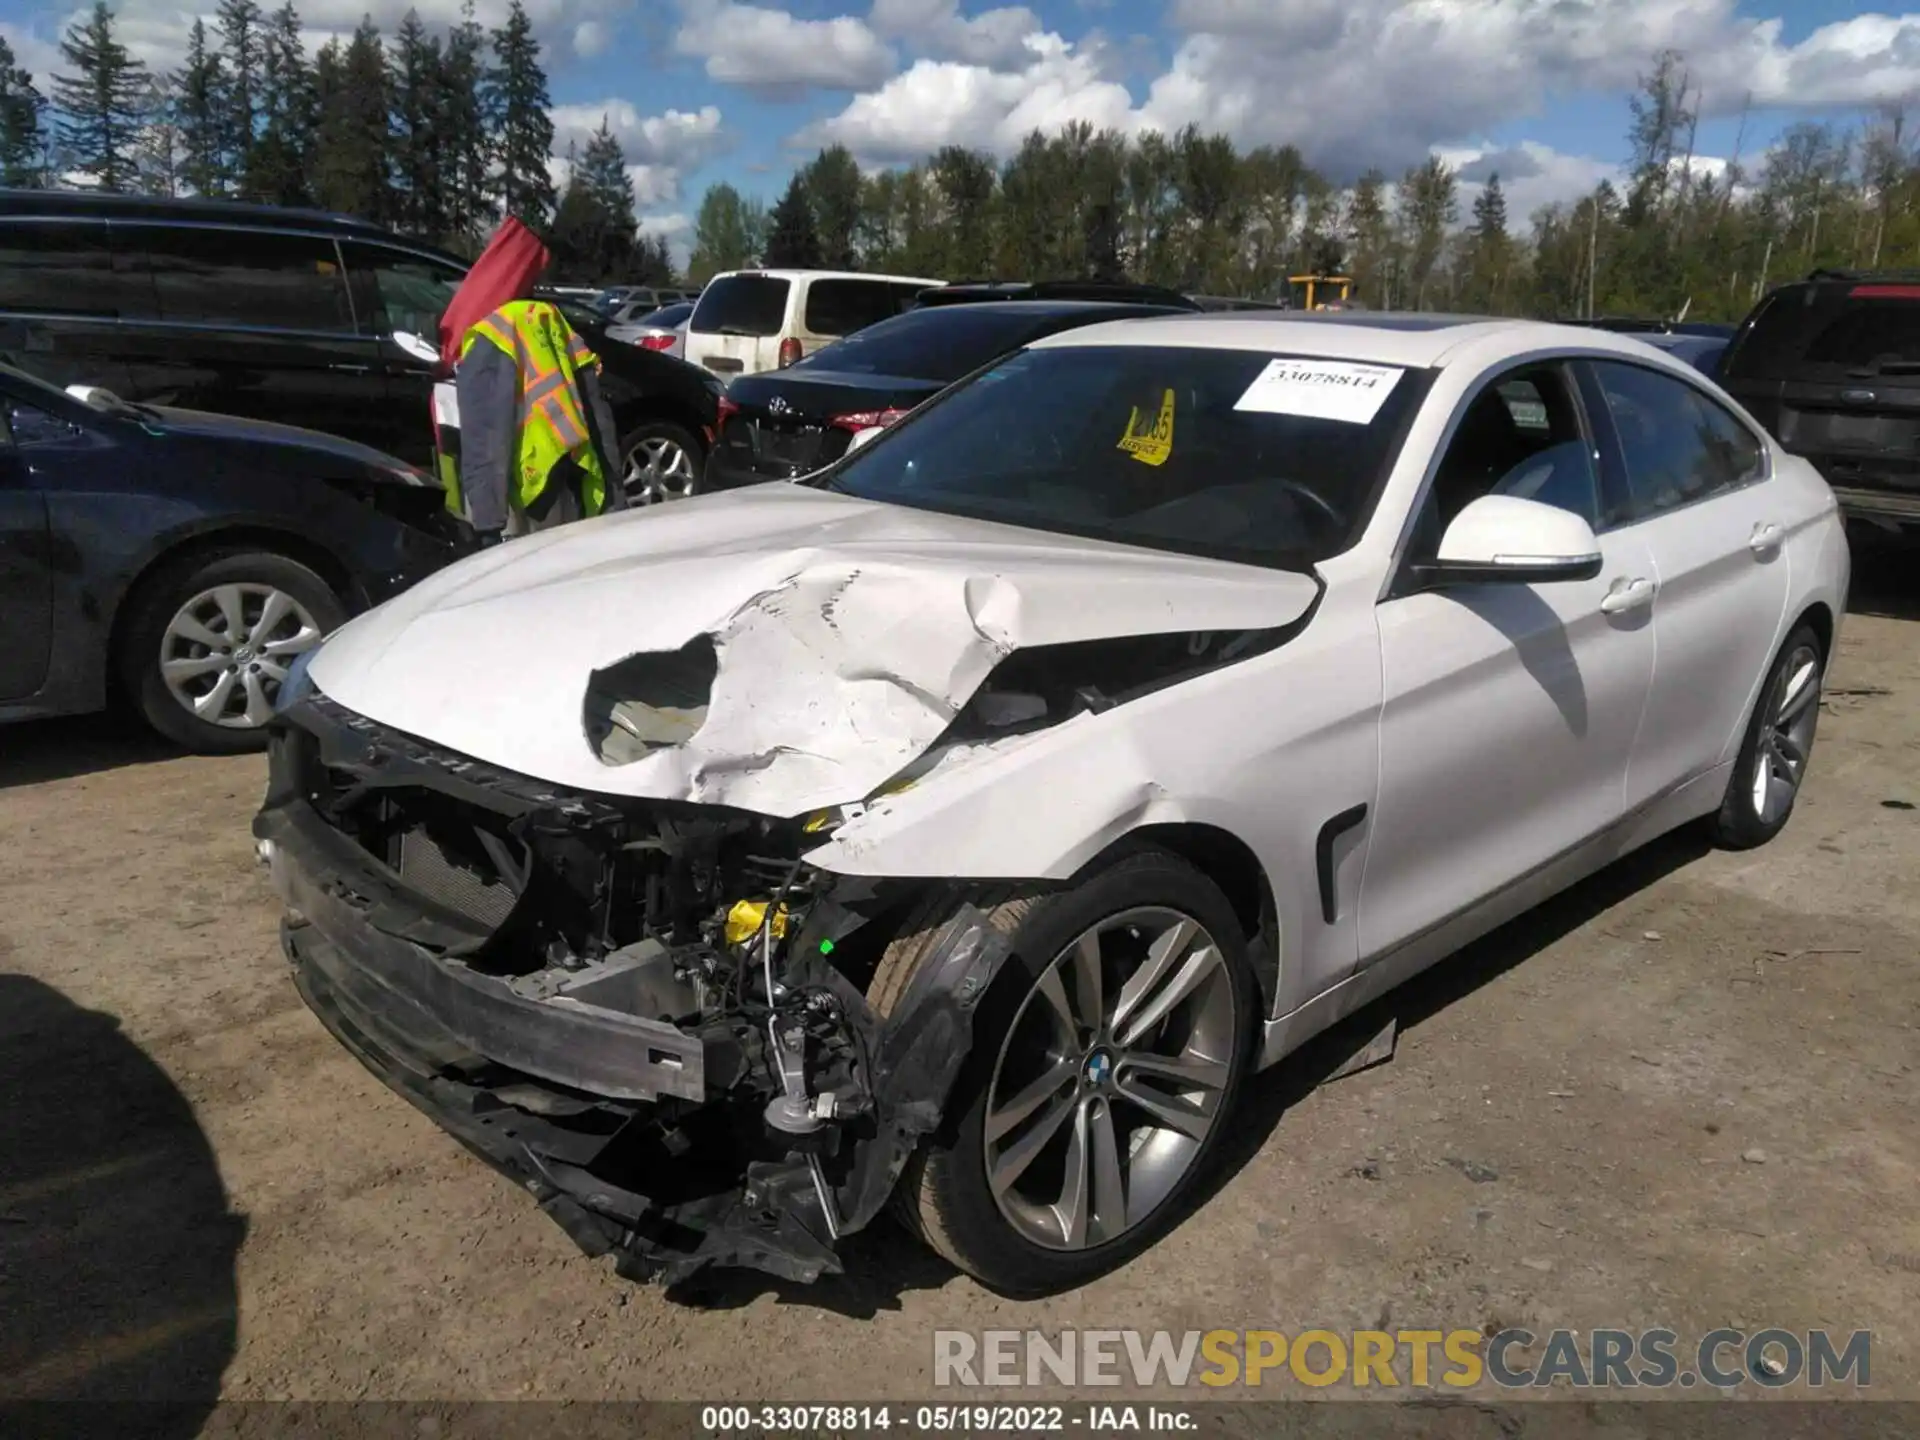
1111, 1080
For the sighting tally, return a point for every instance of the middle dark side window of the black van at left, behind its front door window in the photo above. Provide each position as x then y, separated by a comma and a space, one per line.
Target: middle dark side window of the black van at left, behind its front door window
206, 276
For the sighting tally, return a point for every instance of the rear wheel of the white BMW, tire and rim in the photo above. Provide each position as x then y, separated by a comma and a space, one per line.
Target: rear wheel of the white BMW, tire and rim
1777, 748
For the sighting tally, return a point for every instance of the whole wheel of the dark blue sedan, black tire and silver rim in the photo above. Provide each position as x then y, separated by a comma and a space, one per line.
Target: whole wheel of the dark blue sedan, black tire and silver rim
208, 640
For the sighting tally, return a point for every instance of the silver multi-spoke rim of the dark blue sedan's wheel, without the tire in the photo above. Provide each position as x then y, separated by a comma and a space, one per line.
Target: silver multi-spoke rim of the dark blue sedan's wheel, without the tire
228, 650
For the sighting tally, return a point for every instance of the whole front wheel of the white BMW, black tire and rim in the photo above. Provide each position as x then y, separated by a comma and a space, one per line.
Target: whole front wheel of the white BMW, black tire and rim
1105, 1065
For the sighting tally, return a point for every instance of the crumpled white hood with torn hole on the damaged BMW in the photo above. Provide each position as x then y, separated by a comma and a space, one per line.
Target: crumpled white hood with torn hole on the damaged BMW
848, 636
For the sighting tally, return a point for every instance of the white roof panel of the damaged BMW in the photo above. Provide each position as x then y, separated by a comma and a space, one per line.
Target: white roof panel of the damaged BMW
1383, 339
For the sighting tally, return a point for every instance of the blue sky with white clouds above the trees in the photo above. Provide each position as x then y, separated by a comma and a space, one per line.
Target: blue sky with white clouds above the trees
706, 91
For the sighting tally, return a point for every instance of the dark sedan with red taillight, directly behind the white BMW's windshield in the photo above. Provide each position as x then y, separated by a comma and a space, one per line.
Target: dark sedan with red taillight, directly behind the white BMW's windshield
788, 423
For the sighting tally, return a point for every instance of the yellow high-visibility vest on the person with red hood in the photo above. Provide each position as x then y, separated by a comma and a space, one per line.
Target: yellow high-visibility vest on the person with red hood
552, 423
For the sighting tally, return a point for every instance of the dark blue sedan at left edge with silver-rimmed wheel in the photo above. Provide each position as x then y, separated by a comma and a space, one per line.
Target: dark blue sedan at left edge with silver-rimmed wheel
181, 560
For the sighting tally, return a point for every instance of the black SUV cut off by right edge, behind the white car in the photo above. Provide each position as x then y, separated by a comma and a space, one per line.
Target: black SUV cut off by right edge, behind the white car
1831, 366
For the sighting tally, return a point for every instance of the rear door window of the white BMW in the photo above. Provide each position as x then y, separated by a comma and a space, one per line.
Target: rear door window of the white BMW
1679, 446
